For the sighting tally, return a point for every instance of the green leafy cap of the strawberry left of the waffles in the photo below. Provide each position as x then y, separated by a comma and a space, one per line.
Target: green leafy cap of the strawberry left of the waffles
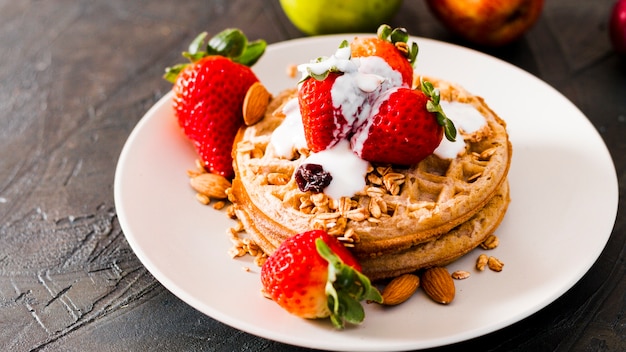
231, 43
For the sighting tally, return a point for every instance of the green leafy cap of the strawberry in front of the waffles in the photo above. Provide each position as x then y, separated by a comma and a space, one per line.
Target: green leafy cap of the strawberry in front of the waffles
346, 288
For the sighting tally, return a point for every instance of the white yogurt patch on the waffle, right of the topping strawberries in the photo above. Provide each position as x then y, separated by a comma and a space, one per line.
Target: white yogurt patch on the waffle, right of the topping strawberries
467, 119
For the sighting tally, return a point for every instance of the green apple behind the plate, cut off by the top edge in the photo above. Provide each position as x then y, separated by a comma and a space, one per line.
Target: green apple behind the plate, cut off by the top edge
315, 17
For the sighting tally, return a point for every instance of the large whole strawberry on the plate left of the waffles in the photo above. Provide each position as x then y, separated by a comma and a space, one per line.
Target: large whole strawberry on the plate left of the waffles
209, 93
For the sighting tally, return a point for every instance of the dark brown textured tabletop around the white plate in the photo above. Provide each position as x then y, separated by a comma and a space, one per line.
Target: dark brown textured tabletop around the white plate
76, 78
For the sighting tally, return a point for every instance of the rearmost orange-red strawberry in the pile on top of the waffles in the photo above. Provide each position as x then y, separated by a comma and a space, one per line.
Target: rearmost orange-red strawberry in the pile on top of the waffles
391, 46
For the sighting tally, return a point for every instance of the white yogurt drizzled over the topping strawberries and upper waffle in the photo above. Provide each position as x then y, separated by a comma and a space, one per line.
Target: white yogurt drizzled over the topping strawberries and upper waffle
356, 93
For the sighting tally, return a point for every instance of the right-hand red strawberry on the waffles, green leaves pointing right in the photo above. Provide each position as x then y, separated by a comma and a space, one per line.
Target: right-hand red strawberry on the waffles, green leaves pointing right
407, 126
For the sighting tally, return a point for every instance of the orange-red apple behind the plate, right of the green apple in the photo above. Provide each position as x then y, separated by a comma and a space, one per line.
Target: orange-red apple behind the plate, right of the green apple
487, 22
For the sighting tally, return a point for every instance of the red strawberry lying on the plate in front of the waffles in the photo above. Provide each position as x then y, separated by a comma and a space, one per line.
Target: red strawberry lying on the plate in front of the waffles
312, 275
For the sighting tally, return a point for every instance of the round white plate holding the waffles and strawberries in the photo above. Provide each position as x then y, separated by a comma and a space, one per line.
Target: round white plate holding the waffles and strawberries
564, 202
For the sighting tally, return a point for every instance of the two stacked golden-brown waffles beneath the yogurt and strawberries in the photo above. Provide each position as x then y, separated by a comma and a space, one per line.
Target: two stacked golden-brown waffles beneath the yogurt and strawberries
401, 211
